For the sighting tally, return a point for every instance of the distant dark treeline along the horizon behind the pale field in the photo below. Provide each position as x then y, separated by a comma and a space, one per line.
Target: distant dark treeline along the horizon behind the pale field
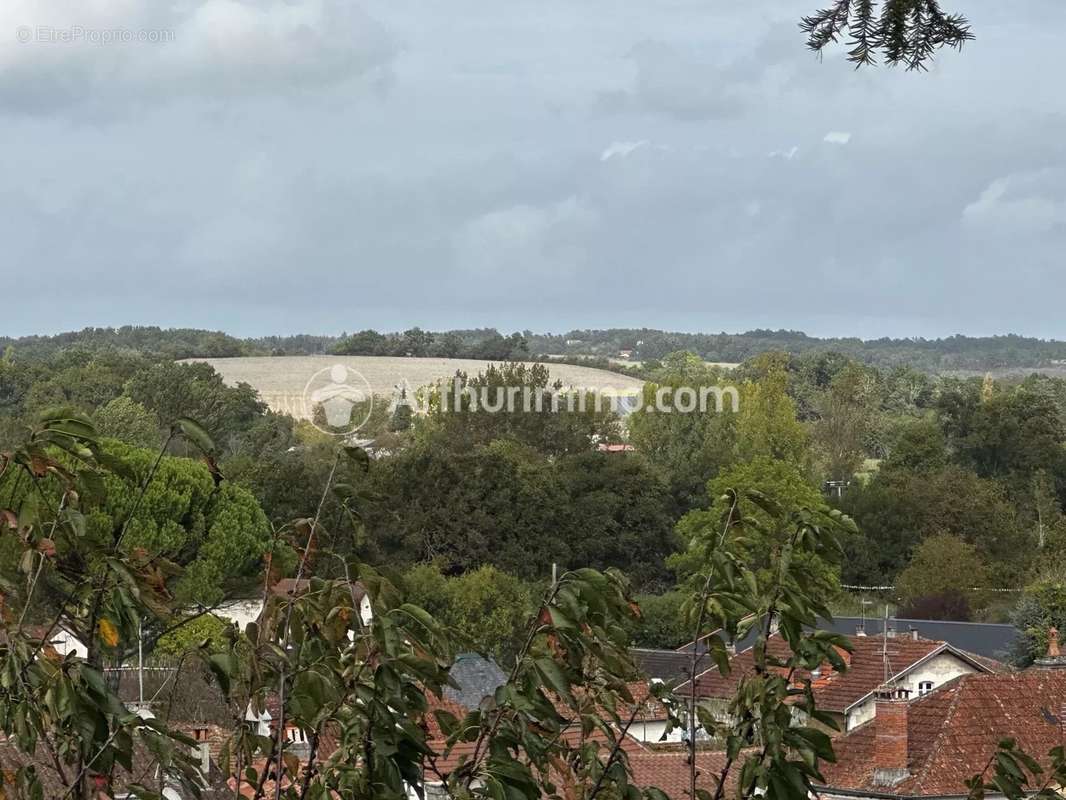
932, 356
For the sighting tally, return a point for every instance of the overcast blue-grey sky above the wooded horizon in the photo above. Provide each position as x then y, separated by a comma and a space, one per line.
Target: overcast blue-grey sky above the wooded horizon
318, 166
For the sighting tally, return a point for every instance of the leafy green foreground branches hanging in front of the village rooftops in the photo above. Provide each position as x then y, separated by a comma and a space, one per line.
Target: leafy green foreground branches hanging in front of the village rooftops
356, 695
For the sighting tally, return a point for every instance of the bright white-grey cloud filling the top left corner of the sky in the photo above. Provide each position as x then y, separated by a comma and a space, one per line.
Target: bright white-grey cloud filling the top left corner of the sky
205, 50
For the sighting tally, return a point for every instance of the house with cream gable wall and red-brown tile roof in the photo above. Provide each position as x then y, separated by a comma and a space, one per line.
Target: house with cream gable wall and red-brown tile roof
909, 665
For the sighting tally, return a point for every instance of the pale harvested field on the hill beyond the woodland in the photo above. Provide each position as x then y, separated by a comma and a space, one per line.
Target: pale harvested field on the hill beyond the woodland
282, 381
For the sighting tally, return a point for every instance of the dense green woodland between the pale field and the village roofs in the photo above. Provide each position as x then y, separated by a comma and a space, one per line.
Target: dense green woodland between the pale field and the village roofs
958, 485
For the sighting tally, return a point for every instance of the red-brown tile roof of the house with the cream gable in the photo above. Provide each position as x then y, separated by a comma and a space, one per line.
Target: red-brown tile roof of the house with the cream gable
834, 692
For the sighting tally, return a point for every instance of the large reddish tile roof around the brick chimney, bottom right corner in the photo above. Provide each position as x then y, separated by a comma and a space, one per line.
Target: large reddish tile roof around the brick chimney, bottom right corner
954, 731
